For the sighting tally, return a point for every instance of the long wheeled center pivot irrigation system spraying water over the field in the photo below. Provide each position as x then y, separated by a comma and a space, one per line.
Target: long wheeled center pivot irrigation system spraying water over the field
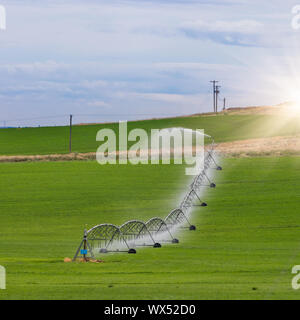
105, 238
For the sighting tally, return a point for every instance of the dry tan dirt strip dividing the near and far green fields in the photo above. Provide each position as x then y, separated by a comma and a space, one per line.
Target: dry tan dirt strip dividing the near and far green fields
289, 145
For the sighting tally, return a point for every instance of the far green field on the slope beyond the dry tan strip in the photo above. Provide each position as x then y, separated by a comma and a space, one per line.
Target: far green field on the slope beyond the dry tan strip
49, 140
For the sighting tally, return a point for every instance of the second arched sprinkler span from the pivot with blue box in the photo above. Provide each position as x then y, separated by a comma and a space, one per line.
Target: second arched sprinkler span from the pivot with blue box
136, 233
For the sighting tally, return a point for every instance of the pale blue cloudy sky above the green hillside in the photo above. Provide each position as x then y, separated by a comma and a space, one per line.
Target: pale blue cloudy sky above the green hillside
135, 59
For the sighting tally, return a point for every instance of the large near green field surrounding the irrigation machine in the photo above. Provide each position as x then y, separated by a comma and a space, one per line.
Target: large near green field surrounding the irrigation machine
248, 236
